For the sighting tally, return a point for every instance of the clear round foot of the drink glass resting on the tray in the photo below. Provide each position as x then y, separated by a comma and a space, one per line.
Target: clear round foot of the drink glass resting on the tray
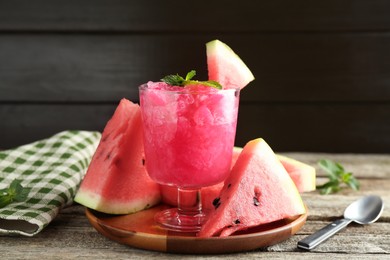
170, 219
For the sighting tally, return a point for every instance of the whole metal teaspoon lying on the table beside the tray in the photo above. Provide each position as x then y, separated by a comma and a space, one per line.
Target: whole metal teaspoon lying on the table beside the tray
365, 210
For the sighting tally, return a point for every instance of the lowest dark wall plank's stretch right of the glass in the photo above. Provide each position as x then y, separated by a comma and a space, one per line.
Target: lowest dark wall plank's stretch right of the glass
335, 128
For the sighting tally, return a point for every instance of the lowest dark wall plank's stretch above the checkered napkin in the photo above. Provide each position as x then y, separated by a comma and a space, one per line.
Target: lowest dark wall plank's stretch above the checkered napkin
23, 124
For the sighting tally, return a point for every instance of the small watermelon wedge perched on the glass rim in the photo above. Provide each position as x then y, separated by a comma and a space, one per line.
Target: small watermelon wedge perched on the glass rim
226, 67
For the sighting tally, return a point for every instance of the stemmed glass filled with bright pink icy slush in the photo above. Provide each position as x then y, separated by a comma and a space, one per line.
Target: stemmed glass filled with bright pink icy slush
189, 136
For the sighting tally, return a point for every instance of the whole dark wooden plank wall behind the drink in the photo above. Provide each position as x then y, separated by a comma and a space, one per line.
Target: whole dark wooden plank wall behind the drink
322, 67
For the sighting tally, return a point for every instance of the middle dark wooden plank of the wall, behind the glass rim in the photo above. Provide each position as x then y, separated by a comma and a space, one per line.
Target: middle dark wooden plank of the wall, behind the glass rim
104, 68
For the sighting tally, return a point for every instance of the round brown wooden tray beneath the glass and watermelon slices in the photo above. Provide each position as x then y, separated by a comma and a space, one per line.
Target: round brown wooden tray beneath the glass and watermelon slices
139, 230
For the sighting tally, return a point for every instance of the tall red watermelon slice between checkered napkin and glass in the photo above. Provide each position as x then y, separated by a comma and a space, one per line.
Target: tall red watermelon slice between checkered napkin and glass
116, 181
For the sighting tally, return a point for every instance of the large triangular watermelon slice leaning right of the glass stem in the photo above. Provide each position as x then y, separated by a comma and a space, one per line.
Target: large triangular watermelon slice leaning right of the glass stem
257, 191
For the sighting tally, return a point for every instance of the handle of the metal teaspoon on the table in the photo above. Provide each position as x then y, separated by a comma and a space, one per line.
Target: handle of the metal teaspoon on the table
321, 235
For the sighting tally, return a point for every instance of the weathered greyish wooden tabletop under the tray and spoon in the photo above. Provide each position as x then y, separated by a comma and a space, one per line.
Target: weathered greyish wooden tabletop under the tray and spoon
71, 236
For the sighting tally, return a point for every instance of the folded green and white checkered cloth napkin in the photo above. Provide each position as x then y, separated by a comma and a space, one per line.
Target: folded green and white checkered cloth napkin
52, 169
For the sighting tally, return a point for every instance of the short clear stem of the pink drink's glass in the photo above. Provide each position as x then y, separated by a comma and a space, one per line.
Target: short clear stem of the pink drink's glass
189, 202
